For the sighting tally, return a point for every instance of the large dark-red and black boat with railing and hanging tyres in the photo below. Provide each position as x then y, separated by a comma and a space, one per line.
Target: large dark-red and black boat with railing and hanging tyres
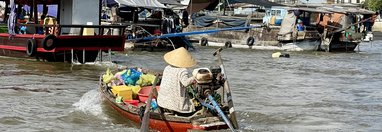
61, 40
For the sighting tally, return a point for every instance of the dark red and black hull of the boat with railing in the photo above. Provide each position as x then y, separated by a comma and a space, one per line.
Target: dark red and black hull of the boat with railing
16, 46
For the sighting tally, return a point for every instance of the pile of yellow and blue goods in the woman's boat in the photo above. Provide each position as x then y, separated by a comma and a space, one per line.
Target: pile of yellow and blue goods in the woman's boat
125, 85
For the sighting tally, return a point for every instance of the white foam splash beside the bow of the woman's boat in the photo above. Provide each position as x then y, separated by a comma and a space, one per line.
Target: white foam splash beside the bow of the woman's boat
90, 103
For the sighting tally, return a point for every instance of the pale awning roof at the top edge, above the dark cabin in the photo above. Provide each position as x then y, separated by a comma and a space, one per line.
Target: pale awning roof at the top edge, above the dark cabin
140, 3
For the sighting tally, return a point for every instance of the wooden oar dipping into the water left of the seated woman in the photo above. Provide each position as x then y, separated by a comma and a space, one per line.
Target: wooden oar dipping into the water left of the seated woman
146, 116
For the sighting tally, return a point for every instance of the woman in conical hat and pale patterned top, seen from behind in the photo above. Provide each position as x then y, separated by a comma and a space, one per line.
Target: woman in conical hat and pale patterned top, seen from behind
172, 94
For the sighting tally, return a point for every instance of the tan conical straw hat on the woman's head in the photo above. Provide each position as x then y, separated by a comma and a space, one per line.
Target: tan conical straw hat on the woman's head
179, 57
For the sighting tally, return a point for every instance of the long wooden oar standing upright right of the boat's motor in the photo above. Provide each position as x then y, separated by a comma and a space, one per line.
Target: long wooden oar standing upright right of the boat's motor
228, 90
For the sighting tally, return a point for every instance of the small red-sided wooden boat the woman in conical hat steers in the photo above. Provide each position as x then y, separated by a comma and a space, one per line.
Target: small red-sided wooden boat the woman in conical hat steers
163, 121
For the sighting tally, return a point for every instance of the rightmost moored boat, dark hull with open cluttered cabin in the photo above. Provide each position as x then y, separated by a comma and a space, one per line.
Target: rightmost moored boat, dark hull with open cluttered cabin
342, 30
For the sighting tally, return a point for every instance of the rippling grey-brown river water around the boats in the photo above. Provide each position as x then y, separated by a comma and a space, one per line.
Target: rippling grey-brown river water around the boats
310, 91
